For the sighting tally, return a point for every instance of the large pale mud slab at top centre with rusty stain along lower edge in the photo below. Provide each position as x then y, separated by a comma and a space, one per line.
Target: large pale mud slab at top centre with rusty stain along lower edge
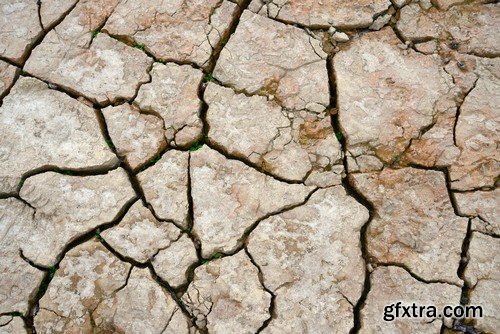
270, 58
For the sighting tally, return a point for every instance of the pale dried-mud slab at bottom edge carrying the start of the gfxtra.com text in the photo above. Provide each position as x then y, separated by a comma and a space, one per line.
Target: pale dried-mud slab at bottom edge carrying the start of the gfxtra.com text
391, 285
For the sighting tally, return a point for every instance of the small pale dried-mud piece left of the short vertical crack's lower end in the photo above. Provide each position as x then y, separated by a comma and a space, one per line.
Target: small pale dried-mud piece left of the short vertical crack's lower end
173, 262
